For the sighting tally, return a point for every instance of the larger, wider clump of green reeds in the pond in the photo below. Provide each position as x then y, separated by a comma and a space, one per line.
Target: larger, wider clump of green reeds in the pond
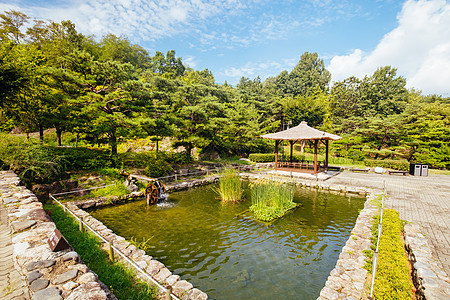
271, 199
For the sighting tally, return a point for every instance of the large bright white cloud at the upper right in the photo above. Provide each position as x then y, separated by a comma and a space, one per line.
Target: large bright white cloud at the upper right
419, 48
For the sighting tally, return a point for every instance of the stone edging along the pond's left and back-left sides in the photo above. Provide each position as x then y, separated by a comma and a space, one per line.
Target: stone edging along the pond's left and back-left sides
152, 267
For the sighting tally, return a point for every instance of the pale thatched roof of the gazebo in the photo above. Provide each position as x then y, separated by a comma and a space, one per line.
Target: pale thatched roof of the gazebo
301, 132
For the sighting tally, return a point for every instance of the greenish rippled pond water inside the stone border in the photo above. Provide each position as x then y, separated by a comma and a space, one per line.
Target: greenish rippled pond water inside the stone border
200, 239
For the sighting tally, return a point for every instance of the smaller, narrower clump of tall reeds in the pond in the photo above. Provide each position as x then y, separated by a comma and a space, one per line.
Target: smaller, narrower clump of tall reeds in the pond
230, 186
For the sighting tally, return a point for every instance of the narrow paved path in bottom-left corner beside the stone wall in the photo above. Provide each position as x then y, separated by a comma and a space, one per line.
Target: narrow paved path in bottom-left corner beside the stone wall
12, 284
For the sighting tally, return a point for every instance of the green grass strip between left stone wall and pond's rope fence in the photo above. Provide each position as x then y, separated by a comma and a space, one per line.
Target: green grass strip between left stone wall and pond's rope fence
121, 280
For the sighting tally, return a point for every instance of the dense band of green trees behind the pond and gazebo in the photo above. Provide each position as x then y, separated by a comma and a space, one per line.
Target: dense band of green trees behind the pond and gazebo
106, 91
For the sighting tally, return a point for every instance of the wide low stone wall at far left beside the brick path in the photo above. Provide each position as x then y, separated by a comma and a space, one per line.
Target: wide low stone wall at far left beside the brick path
50, 275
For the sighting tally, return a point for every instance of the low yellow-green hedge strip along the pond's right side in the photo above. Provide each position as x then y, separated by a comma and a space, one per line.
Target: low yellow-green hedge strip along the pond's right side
392, 280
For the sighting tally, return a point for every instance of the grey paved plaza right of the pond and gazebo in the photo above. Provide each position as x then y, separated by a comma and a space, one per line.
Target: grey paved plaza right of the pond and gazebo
421, 200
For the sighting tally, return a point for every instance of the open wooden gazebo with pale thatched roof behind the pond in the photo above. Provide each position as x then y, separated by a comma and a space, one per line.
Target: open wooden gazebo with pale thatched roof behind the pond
302, 132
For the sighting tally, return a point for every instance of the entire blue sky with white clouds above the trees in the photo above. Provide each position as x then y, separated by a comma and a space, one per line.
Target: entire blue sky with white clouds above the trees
250, 38
